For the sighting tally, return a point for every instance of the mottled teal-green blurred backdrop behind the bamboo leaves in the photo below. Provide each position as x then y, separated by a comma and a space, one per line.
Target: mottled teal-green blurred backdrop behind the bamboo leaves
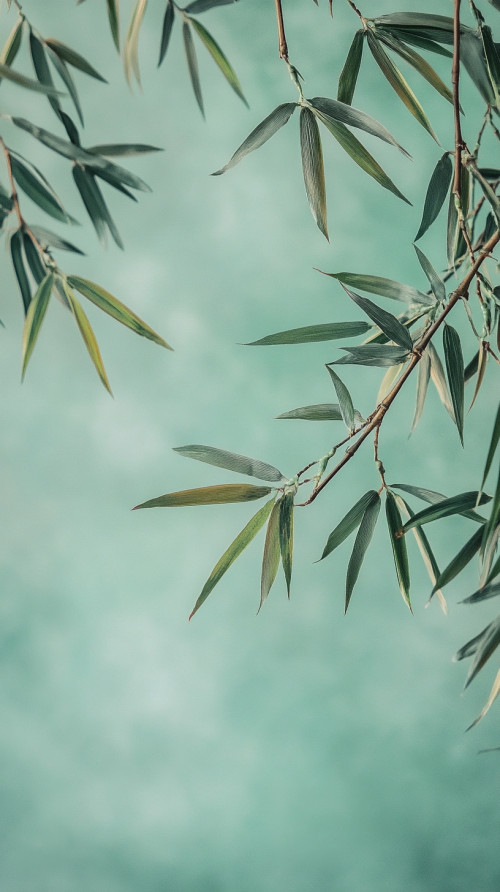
299, 750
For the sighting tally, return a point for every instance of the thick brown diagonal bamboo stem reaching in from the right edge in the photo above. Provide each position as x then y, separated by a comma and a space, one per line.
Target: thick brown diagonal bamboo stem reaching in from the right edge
379, 413
